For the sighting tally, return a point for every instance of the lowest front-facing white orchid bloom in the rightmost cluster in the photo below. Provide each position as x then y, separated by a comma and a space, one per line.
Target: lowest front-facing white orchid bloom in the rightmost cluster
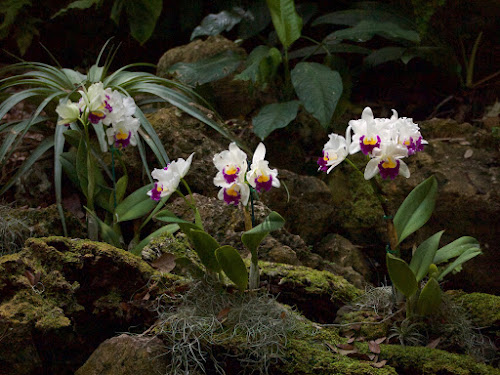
387, 161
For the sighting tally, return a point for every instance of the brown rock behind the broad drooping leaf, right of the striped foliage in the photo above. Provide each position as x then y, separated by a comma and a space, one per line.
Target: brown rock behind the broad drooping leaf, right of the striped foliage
232, 98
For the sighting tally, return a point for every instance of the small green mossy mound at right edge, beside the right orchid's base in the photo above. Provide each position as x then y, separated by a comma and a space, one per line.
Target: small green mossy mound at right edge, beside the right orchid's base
484, 309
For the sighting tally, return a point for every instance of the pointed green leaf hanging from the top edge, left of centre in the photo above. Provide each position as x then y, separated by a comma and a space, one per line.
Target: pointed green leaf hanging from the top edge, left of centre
142, 17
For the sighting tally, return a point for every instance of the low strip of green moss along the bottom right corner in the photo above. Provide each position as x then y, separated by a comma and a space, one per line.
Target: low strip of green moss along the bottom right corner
423, 360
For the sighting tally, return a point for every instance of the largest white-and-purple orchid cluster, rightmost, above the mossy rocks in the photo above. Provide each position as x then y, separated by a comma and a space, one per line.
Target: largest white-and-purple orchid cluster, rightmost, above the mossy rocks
385, 140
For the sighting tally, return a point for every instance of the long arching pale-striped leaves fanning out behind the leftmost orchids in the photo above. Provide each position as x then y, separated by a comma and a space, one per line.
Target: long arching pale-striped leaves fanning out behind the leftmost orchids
47, 85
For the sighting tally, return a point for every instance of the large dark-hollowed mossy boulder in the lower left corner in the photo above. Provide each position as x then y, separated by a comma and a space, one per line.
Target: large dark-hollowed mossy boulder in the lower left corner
60, 298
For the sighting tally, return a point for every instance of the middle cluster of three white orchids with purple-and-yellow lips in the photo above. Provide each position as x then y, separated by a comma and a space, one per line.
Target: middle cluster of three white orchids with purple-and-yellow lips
235, 179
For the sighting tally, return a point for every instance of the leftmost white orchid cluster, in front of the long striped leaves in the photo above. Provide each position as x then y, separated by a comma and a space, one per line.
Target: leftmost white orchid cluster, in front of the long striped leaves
100, 107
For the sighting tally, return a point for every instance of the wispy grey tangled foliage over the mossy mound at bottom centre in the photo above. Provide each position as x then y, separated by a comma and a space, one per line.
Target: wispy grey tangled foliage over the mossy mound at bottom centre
208, 321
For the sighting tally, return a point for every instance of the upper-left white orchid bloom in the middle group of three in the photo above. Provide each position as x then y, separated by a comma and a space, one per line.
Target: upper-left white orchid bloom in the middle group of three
232, 165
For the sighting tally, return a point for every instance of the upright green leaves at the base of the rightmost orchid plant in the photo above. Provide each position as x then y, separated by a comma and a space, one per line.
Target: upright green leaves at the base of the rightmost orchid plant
429, 262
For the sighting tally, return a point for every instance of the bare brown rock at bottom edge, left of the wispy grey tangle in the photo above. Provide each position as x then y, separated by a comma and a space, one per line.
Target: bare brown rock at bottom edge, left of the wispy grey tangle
126, 355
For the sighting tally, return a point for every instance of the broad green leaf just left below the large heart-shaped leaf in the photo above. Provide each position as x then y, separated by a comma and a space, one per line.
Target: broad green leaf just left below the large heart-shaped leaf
274, 116
